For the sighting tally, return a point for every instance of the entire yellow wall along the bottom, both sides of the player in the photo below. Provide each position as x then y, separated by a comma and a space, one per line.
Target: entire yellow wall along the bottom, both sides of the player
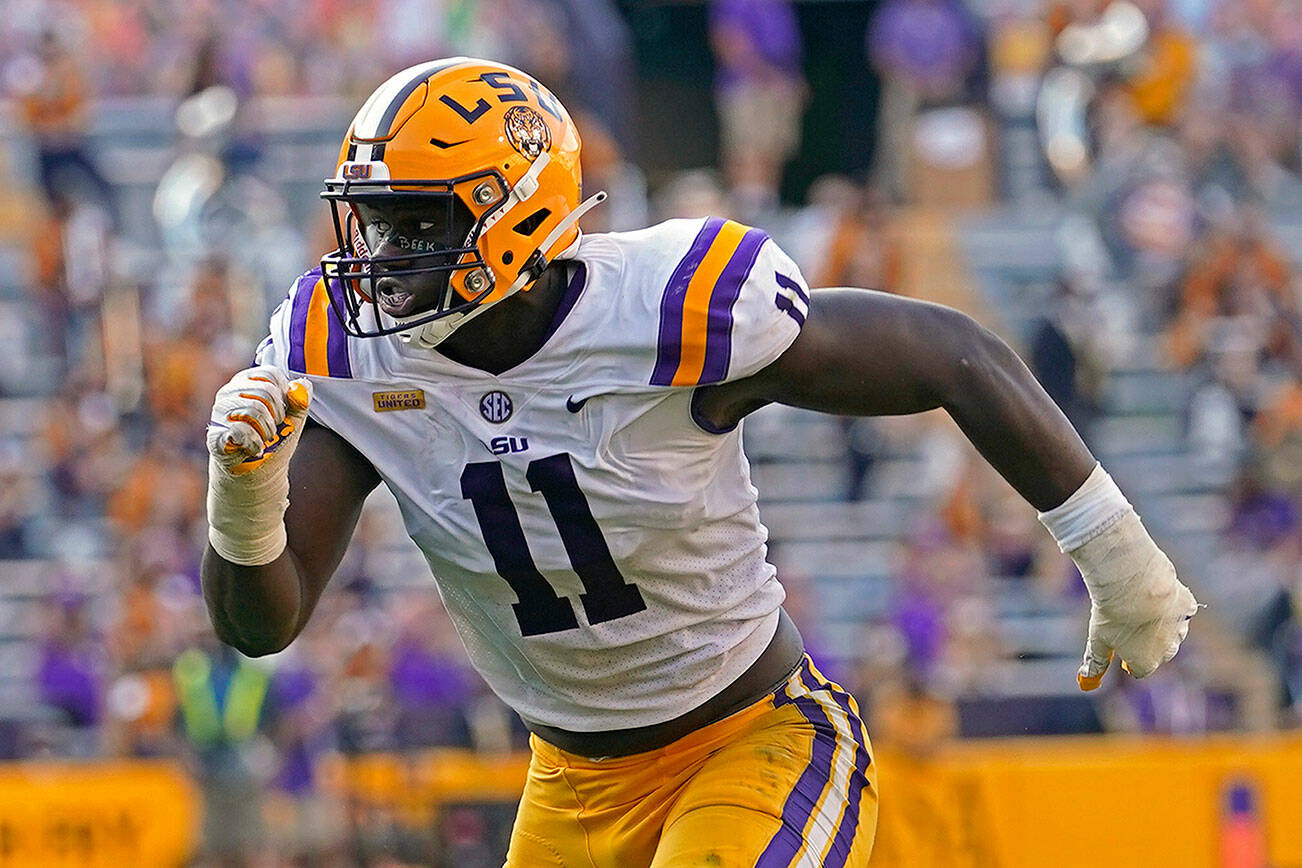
1018, 804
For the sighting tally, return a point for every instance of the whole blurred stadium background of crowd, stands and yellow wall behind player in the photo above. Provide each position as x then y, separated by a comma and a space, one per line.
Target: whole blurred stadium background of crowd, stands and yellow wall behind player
1113, 187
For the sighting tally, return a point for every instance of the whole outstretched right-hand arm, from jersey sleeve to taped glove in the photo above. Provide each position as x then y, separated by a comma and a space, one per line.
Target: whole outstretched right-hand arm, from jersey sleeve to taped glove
868, 353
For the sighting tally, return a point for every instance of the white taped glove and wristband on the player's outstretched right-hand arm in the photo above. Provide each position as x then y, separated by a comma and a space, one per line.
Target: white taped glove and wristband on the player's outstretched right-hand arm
1139, 610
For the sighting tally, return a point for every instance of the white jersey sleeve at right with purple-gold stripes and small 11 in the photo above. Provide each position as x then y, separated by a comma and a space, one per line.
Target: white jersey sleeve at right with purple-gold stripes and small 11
732, 304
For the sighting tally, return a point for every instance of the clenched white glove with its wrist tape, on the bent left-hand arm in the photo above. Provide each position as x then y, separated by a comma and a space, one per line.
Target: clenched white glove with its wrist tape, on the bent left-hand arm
257, 420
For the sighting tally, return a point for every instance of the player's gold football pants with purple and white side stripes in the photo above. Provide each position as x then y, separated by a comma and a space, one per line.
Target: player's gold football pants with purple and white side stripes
788, 781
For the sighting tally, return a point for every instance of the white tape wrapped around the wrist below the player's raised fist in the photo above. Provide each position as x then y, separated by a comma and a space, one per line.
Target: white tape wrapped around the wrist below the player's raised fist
247, 513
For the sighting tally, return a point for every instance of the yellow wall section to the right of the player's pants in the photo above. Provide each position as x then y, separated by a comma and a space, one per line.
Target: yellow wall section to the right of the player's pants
1096, 802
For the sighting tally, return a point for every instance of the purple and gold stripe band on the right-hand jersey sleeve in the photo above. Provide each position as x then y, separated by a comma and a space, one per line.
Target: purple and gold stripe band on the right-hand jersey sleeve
697, 309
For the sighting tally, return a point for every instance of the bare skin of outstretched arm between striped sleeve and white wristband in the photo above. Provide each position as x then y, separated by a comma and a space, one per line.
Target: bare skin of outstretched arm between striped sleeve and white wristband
868, 353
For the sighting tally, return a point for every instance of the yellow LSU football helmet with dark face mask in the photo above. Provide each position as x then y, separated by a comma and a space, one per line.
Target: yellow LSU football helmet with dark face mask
490, 156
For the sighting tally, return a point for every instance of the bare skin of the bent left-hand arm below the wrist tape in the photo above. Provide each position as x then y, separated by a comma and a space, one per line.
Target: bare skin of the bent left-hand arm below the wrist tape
261, 610
